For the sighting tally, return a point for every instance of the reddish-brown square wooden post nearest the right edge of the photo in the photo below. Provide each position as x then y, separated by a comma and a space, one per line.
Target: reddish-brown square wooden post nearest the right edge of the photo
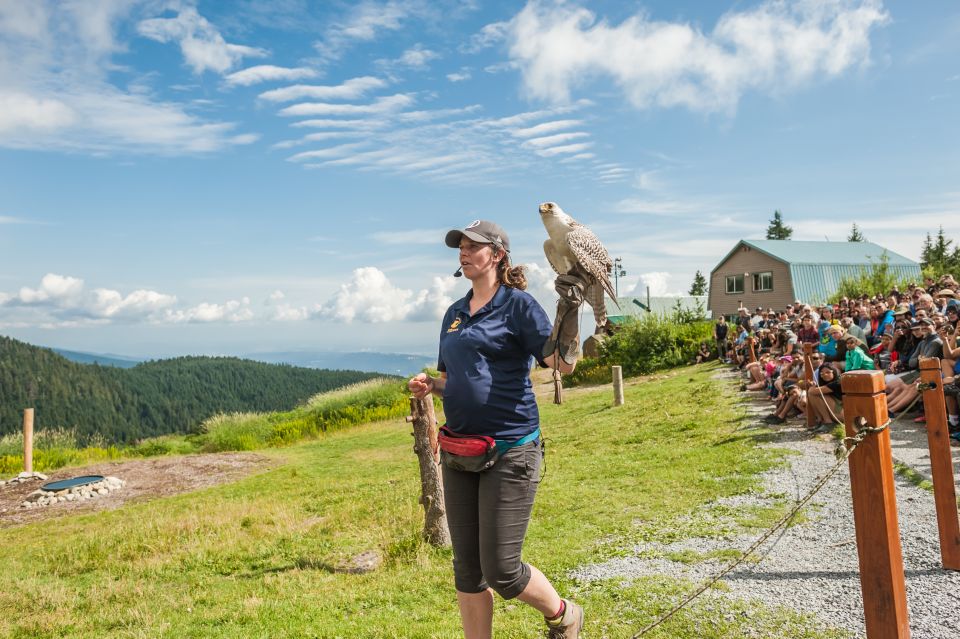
941, 464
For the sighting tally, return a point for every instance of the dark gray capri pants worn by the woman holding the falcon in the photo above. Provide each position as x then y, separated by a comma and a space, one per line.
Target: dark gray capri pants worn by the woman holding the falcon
488, 513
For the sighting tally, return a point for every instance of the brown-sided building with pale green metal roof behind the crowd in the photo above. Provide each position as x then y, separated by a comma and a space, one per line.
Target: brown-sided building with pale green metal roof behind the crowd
774, 273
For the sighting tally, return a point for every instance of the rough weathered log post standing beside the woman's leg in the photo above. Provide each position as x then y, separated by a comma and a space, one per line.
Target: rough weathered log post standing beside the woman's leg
435, 529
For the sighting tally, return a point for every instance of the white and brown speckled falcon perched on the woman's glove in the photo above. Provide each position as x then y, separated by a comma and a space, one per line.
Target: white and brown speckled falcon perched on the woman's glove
572, 248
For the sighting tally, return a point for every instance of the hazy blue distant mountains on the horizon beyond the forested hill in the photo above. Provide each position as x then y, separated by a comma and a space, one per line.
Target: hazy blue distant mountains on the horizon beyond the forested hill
365, 361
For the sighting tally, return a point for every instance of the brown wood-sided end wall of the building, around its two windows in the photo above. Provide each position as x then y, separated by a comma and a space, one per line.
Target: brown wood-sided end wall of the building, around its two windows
748, 260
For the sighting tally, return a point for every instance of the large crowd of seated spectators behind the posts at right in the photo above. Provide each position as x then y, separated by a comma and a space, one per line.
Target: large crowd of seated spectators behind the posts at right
888, 333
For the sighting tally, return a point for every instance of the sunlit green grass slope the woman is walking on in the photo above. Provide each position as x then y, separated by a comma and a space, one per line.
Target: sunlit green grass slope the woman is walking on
262, 557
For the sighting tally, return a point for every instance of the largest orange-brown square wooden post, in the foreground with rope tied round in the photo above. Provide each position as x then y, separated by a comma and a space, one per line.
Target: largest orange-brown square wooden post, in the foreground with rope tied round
875, 508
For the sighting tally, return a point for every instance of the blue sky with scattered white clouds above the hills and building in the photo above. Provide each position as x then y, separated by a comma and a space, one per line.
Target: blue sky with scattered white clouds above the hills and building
231, 177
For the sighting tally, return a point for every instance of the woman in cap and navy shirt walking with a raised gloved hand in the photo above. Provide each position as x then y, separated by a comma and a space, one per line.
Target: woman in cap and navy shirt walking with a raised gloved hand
488, 340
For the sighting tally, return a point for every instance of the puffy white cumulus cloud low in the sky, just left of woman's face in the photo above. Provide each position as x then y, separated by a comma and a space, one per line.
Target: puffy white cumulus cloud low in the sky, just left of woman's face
370, 297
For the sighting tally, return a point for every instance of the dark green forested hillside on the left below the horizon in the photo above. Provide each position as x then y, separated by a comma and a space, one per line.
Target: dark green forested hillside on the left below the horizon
154, 398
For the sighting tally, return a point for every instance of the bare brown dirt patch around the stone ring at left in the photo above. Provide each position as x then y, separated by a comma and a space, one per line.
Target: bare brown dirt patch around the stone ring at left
146, 479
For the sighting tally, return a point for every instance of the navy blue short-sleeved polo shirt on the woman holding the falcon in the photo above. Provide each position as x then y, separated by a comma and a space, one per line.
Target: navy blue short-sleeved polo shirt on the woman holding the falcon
487, 359
